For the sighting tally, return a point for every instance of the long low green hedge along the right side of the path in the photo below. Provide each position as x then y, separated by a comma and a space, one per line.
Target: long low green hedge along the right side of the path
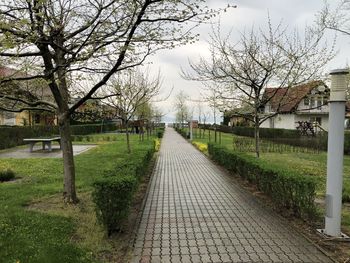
288, 189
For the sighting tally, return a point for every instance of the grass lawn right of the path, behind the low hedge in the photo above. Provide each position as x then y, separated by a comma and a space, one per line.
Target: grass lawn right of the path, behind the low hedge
309, 162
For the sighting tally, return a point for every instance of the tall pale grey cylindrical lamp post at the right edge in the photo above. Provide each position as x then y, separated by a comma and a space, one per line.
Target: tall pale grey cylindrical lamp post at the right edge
335, 152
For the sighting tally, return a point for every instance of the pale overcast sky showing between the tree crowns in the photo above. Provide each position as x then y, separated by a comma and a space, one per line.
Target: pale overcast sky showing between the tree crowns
294, 13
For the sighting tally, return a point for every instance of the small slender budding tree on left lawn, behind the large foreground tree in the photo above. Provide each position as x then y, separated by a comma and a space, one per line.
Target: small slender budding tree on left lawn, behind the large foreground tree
128, 92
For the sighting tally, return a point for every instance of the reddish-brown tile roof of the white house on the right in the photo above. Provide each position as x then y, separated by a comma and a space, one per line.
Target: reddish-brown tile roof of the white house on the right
287, 99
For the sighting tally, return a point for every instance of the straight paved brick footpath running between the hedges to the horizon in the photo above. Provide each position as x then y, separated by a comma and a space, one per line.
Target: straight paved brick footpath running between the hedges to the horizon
195, 213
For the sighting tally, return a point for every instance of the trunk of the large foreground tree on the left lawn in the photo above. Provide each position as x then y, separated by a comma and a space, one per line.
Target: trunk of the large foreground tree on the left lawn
69, 193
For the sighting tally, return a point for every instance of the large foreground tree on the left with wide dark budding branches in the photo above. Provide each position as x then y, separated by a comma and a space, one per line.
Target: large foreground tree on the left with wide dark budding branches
65, 40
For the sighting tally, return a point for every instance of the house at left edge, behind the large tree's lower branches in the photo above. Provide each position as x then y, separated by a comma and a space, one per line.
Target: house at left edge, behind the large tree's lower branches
29, 90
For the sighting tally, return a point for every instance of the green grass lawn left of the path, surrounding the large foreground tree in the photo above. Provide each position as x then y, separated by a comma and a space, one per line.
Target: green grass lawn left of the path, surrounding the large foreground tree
35, 225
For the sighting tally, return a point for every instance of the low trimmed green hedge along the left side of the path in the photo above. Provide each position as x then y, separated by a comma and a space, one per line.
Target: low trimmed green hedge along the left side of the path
114, 191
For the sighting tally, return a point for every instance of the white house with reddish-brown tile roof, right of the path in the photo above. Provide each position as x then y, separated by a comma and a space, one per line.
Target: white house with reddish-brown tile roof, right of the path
289, 107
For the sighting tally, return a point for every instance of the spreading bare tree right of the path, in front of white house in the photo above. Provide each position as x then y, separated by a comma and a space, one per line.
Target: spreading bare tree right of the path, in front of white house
275, 57
